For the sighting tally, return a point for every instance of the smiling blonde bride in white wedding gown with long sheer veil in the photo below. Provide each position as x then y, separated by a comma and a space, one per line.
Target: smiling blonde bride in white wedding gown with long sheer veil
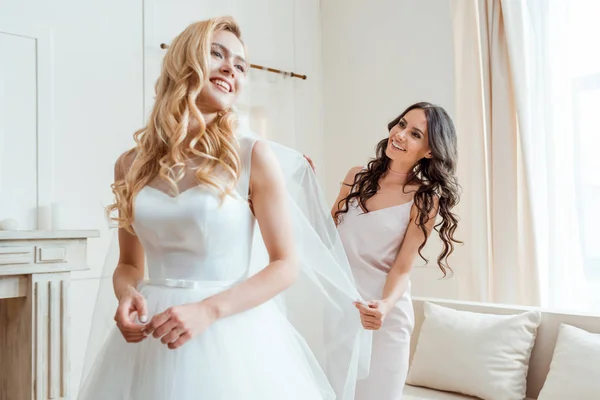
194, 320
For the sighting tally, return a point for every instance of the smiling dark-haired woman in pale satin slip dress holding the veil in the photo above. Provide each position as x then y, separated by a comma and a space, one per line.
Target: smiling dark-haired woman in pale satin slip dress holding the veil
384, 214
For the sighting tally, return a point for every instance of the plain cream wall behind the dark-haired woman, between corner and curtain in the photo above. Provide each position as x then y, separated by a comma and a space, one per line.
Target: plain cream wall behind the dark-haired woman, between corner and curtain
379, 57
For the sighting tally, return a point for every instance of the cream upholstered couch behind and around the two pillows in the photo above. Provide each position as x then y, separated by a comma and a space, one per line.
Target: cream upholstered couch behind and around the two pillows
541, 355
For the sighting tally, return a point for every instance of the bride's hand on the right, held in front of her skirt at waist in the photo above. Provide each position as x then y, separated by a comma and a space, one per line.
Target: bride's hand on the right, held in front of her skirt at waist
176, 325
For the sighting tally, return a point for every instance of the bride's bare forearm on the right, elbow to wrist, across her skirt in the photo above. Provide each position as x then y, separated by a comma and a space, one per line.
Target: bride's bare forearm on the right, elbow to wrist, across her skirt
268, 283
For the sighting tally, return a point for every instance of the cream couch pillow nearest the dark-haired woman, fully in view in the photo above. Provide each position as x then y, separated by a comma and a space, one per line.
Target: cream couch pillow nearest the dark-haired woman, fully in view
483, 355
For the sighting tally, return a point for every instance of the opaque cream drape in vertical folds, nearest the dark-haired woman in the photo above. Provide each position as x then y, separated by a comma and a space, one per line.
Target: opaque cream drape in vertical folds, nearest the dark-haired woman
498, 261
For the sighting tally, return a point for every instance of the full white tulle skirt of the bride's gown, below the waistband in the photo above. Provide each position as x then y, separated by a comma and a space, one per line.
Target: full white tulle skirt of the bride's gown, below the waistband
254, 355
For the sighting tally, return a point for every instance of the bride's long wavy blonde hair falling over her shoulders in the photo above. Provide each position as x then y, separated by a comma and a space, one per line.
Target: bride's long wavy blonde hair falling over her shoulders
165, 143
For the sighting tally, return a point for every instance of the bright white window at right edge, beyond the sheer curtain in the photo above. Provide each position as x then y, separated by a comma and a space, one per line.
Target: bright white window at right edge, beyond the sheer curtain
583, 66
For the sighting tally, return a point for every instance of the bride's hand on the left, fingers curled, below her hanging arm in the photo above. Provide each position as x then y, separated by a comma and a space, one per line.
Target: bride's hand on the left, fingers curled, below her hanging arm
131, 305
